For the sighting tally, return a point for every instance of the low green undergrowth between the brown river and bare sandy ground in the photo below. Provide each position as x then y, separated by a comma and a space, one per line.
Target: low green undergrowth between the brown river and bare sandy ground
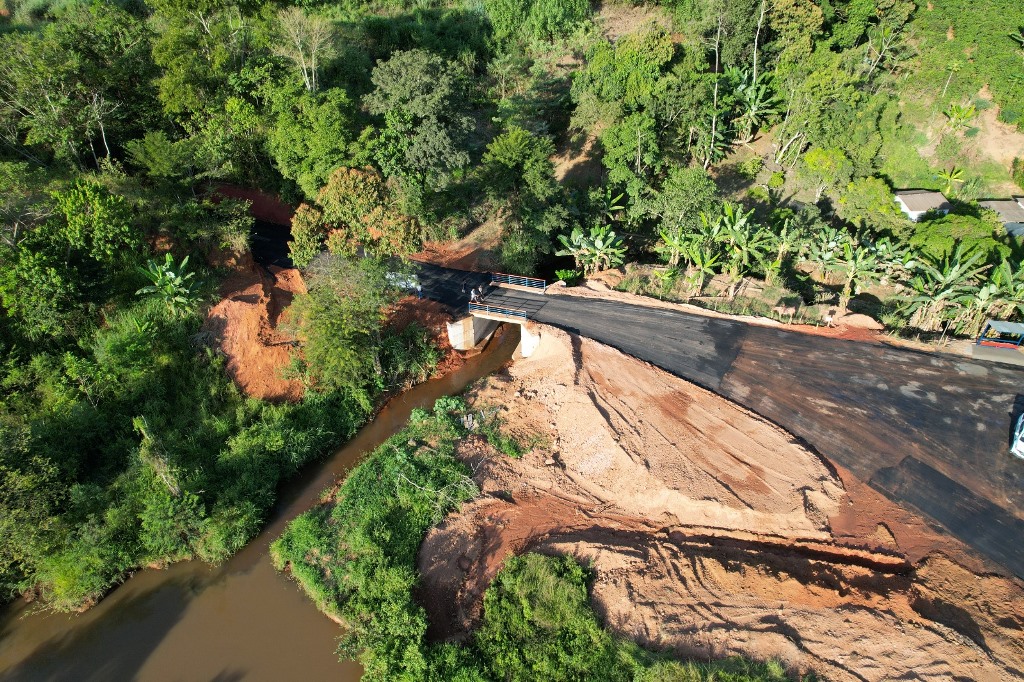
357, 560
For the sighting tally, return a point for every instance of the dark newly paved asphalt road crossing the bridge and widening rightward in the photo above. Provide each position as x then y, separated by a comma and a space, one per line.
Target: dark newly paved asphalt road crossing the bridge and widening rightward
929, 432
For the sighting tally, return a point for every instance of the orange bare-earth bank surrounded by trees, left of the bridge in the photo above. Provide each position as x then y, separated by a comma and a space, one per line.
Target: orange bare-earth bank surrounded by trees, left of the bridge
245, 328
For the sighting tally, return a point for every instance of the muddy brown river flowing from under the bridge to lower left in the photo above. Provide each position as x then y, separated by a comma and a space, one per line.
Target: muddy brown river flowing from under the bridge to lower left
240, 621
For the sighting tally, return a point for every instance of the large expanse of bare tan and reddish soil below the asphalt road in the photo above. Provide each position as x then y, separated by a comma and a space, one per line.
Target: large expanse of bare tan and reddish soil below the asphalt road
712, 532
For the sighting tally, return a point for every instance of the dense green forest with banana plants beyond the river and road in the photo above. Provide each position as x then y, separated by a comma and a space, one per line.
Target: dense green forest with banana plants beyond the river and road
734, 147
